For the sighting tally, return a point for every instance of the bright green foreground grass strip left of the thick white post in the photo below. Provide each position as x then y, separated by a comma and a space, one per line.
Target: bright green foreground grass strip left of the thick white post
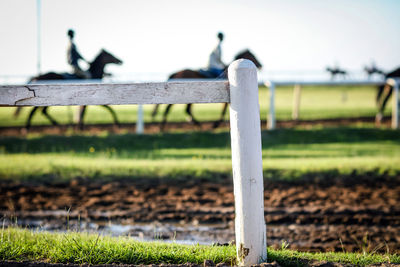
19, 245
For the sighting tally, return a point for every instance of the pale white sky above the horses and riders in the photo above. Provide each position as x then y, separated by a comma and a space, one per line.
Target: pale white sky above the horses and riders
168, 35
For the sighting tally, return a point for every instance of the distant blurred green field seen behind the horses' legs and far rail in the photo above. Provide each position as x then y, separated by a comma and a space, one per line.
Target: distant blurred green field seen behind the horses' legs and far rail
316, 103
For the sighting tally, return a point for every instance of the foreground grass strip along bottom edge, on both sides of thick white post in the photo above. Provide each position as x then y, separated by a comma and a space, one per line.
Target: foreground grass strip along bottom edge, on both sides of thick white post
71, 247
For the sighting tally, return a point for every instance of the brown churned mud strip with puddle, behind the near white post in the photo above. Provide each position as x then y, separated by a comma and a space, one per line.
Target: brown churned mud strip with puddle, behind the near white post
349, 213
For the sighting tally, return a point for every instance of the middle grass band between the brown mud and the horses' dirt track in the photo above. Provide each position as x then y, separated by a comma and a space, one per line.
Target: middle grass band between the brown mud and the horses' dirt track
287, 154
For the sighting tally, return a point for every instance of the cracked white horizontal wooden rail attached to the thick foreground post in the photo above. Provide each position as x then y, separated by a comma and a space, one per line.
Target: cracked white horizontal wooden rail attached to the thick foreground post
114, 94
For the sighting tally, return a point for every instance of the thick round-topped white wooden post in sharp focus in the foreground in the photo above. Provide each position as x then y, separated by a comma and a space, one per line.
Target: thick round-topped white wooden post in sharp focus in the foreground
250, 229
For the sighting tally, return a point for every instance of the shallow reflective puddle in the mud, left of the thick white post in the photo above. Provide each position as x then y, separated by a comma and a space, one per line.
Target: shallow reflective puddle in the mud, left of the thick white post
166, 232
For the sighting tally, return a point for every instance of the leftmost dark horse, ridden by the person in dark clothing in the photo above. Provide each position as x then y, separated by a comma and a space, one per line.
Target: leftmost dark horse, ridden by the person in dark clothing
96, 69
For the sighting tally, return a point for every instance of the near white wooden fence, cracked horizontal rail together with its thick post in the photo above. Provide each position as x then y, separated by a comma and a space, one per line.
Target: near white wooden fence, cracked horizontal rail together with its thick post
241, 91
